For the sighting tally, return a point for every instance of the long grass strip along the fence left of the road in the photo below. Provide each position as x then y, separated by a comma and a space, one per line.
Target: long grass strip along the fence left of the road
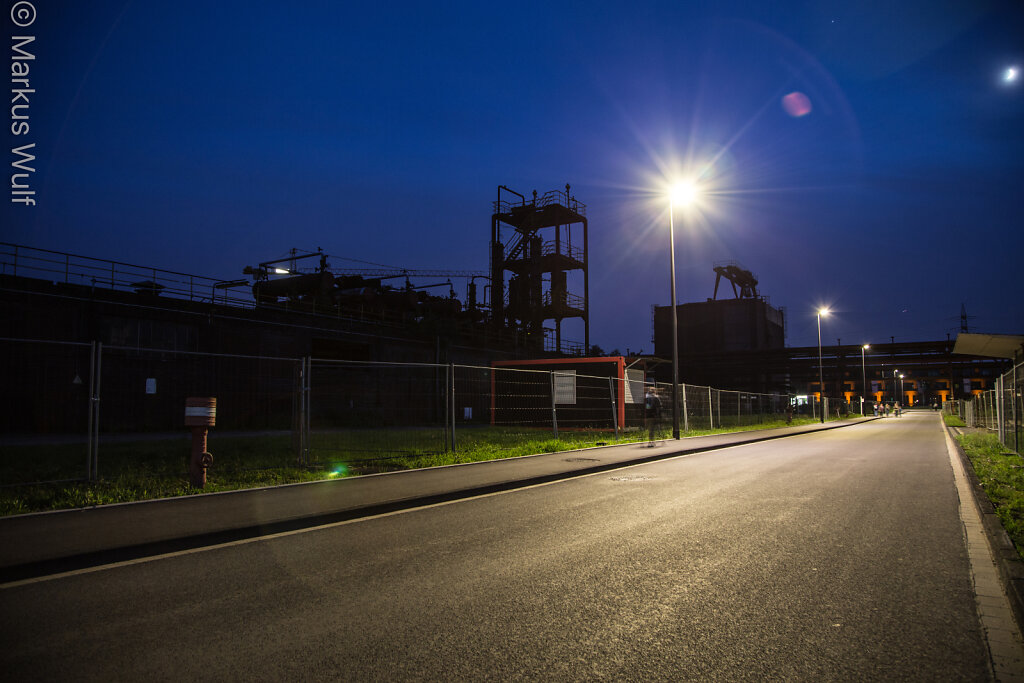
151, 469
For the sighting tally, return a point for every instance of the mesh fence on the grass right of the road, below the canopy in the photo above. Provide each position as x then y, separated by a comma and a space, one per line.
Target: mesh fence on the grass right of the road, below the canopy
1000, 411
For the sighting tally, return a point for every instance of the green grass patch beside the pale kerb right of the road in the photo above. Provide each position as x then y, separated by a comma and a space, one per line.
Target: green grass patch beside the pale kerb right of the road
1002, 477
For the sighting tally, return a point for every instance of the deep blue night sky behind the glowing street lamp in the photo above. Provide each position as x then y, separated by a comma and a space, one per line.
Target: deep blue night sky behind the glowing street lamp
204, 138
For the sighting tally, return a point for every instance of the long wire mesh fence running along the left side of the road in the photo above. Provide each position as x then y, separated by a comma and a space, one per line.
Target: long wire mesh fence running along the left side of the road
90, 411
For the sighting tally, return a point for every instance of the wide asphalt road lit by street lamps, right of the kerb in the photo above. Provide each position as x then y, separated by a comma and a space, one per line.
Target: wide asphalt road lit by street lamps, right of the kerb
836, 556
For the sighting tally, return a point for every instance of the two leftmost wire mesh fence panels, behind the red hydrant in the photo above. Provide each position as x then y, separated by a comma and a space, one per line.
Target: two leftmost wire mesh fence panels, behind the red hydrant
64, 404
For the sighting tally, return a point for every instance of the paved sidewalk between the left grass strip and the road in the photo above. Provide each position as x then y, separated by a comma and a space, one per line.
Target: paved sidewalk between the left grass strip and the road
51, 542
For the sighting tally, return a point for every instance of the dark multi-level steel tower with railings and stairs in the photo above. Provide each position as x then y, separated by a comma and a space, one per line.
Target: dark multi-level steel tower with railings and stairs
540, 253
